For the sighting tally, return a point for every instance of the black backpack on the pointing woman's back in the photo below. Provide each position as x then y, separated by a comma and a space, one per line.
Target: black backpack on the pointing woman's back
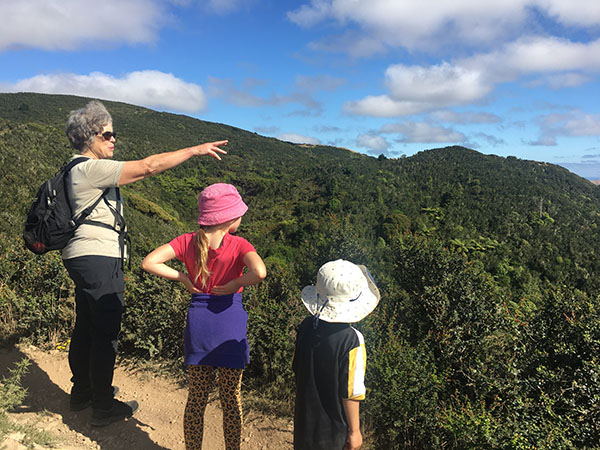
50, 223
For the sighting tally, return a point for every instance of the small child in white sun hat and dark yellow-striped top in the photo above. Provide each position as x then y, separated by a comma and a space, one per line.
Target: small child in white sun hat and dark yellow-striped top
329, 360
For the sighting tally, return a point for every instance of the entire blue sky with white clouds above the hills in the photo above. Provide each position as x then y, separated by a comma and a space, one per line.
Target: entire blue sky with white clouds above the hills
393, 77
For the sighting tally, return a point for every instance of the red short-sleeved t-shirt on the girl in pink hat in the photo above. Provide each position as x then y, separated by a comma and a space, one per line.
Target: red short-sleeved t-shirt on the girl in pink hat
224, 263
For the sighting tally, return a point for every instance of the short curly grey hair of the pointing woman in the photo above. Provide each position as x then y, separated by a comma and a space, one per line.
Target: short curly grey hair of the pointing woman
85, 123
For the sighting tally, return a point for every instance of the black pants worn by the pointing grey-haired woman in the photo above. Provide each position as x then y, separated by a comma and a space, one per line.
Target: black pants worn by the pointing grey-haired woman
99, 288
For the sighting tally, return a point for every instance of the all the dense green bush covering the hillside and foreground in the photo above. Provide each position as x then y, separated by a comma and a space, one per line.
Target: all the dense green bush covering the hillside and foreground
488, 332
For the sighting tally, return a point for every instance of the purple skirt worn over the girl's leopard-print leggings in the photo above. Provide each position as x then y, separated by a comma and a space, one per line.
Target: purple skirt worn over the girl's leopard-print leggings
215, 332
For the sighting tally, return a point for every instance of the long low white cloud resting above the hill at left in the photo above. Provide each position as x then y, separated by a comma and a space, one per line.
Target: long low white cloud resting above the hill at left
147, 88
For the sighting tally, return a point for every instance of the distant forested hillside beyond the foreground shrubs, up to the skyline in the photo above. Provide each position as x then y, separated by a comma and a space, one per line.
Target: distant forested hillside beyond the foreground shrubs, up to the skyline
537, 213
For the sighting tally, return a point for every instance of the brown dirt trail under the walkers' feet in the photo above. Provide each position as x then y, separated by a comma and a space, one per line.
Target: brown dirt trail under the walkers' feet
156, 426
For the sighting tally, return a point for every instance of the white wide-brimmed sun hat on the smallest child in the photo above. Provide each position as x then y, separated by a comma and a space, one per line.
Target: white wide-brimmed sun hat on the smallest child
344, 293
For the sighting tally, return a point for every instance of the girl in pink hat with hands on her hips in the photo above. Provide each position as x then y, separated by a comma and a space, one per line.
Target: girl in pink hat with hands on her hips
215, 332
